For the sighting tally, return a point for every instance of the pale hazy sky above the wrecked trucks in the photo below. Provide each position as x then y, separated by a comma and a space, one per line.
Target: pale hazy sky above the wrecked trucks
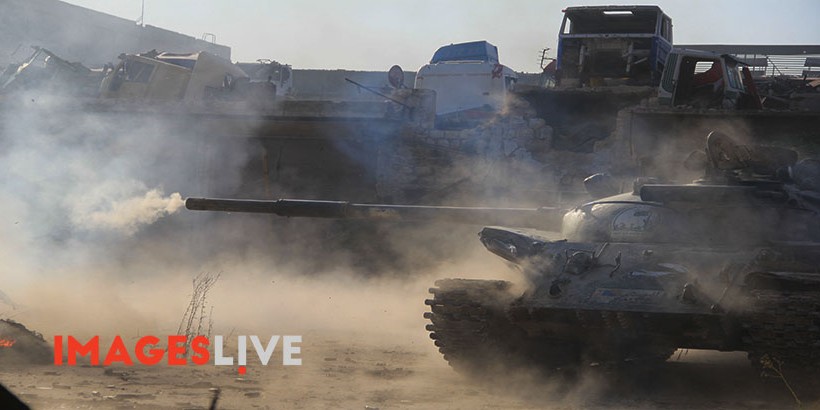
374, 35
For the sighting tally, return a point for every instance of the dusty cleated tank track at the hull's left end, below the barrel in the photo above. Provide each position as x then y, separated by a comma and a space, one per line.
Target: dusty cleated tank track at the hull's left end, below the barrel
470, 326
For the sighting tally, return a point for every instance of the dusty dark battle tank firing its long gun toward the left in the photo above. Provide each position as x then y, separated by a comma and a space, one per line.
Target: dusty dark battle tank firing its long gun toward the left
729, 263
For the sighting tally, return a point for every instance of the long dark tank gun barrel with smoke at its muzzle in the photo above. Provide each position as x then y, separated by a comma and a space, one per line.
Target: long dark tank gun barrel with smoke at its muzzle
529, 217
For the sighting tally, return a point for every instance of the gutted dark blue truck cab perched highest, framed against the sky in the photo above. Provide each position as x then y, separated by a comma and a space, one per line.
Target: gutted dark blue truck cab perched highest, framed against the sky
612, 45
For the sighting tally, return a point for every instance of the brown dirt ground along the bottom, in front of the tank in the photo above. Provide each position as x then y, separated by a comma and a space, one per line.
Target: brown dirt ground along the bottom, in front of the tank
378, 370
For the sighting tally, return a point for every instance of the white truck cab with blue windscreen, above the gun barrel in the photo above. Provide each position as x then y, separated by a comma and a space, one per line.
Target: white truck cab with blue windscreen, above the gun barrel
469, 81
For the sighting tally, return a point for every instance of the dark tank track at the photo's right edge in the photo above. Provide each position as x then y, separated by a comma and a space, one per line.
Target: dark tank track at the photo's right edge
784, 326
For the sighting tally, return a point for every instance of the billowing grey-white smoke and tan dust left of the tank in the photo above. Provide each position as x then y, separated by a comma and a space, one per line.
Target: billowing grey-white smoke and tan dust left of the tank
93, 246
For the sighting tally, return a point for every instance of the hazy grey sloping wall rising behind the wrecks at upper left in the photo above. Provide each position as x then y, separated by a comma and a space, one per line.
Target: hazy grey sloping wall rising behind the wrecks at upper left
79, 34
